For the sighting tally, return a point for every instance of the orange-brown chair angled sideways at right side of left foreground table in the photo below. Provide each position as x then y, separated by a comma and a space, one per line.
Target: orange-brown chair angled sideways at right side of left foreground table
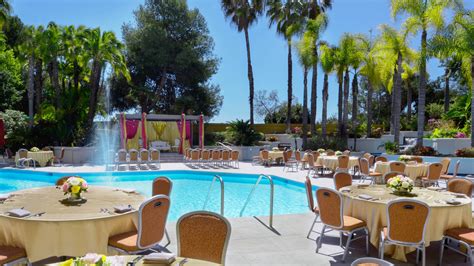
152, 216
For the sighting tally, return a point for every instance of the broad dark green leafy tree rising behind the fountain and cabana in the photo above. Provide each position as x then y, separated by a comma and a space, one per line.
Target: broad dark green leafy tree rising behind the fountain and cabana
173, 76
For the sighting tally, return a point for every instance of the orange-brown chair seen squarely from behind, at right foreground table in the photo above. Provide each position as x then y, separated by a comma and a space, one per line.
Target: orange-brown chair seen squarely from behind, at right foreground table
406, 232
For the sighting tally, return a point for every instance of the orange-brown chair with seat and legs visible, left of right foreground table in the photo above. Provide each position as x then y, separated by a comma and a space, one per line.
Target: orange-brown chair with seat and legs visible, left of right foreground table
331, 211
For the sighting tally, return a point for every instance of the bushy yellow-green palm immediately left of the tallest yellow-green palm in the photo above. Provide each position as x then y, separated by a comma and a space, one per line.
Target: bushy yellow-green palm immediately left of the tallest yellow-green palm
392, 48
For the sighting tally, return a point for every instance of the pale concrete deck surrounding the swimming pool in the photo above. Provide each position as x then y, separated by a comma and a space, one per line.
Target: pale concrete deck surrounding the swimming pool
252, 243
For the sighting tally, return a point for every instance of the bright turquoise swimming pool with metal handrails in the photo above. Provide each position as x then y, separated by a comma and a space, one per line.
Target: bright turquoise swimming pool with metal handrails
190, 189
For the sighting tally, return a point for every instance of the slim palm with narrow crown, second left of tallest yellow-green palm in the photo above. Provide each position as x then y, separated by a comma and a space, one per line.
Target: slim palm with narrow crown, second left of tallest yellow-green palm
370, 70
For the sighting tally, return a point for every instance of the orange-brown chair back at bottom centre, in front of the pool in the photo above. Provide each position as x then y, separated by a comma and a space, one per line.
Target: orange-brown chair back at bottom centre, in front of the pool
203, 235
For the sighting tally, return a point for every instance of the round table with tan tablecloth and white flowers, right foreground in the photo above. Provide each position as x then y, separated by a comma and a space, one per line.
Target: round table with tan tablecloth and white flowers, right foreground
374, 212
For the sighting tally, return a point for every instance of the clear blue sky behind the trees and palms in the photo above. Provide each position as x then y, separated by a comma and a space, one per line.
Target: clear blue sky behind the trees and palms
269, 51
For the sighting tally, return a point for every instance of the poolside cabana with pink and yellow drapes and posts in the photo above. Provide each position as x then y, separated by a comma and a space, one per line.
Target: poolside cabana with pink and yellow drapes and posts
164, 132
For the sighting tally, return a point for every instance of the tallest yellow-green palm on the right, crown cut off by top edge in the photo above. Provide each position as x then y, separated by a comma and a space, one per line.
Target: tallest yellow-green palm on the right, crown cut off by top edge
422, 15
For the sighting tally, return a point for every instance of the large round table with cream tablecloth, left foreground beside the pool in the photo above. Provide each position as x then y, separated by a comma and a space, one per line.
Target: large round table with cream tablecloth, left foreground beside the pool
66, 230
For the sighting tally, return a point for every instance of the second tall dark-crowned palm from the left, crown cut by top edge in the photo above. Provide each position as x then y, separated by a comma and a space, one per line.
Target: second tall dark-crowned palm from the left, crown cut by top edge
286, 14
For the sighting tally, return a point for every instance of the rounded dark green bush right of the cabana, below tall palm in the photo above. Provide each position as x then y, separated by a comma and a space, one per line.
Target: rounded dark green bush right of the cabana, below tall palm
241, 133
